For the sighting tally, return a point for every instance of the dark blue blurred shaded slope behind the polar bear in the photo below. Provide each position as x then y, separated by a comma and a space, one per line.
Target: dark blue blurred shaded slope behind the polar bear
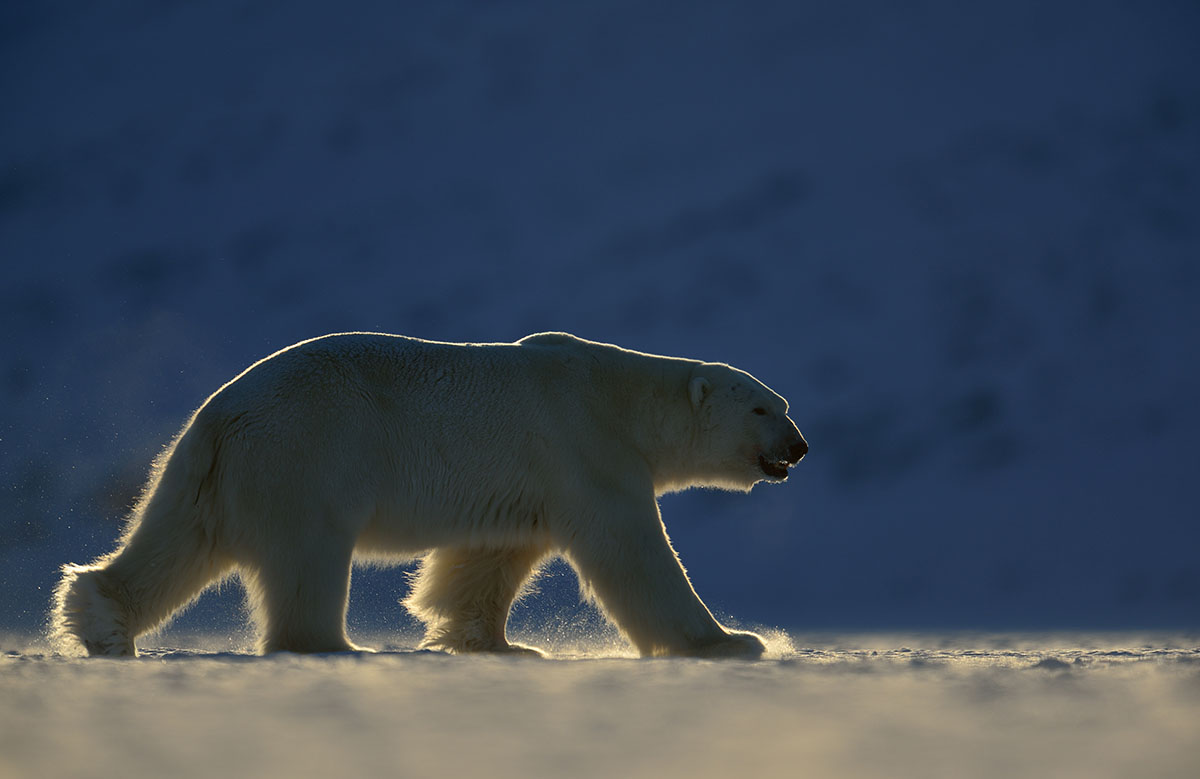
961, 238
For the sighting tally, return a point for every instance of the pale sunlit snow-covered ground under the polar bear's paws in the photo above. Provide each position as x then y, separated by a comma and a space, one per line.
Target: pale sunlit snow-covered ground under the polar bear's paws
923, 706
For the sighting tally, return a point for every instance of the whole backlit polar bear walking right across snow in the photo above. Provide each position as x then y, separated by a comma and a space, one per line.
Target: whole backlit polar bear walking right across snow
484, 460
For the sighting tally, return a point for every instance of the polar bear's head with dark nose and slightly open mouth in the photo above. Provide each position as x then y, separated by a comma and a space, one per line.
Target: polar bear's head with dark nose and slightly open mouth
743, 433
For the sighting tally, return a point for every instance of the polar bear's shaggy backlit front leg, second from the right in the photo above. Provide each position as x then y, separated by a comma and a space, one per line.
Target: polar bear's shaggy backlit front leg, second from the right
464, 597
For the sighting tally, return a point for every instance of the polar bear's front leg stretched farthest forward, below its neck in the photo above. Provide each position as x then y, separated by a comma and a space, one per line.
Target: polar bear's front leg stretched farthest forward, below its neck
627, 564
